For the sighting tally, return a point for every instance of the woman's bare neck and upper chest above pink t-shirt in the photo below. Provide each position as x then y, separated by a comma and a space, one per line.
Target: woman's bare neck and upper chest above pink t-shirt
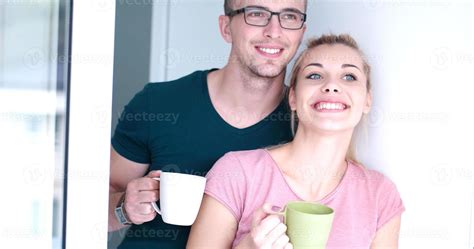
314, 162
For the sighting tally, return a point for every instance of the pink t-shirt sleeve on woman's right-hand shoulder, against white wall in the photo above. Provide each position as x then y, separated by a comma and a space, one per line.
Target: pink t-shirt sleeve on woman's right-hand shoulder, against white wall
390, 204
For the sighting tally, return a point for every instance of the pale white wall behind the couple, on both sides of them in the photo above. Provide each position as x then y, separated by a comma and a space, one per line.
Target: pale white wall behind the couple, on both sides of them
422, 56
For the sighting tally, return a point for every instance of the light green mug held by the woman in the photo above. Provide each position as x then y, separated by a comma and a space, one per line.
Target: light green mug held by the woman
308, 224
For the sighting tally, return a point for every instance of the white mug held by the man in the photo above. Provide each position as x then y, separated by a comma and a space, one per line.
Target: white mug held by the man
180, 197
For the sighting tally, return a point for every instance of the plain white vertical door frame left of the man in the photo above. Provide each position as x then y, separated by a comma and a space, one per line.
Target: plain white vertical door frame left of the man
92, 48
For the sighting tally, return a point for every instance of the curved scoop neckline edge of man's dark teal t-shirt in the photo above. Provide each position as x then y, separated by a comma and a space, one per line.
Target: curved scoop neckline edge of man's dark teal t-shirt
221, 121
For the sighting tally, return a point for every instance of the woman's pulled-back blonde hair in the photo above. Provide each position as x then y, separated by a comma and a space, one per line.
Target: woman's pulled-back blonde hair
331, 39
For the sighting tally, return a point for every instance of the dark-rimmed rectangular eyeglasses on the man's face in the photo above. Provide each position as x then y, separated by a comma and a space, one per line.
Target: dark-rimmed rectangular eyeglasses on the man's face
260, 17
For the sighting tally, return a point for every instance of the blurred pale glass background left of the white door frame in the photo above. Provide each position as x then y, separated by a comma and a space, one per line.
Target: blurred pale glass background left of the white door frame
33, 79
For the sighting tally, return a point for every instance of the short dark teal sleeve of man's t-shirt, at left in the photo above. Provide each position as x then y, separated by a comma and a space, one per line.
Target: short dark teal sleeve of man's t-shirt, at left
130, 138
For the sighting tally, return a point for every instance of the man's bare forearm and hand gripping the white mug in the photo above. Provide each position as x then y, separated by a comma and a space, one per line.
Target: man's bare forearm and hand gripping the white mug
124, 172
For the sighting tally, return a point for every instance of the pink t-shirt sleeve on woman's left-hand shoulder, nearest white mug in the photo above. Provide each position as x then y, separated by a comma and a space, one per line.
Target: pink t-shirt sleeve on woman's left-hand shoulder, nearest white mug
226, 182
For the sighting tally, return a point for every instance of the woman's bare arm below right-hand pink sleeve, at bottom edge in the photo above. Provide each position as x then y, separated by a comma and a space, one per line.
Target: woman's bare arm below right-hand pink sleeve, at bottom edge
387, 236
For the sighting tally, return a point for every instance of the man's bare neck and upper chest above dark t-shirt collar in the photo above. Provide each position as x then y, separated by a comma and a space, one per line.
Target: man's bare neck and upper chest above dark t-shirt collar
243, 99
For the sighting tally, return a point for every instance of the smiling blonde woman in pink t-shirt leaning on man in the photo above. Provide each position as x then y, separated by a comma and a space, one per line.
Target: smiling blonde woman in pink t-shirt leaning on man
329, 94
